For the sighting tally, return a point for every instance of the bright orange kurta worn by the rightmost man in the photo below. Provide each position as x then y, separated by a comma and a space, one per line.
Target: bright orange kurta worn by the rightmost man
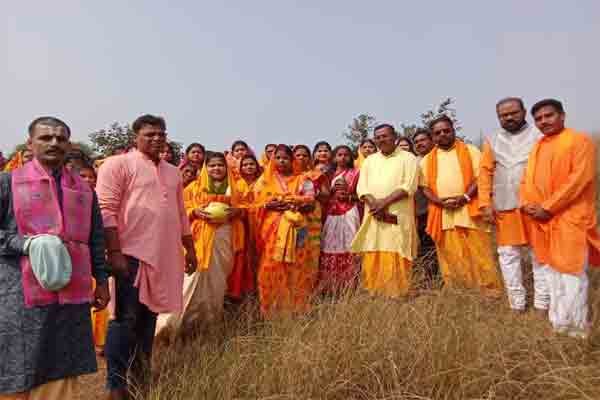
561, 177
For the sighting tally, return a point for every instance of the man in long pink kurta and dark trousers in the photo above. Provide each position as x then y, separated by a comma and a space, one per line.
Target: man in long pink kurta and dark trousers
146, 226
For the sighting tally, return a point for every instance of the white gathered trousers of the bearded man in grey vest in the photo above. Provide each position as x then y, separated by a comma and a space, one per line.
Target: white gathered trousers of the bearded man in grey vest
511, 263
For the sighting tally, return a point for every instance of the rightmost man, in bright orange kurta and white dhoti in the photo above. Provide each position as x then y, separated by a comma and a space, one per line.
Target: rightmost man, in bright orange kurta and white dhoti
558, 194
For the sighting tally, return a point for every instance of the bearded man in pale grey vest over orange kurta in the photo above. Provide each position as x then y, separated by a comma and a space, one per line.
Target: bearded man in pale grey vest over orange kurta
503, 160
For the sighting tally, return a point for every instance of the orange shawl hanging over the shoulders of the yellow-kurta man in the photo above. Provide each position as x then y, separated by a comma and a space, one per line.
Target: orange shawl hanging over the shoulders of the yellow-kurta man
434, 216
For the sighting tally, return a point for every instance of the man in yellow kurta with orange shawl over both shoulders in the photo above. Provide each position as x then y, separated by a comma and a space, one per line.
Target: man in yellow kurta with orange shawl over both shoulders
463, 240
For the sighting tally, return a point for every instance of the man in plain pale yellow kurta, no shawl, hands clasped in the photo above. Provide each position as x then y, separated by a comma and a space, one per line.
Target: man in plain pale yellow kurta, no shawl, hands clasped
387, 238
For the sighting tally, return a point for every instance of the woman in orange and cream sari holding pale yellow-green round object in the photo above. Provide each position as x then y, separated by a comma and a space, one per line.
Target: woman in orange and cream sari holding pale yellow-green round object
217, 241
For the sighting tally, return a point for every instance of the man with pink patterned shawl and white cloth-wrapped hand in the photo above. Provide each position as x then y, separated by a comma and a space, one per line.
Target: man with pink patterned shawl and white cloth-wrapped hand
51, 245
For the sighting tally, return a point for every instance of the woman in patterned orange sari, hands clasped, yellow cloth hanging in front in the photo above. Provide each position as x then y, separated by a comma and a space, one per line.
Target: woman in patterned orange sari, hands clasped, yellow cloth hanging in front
285, 280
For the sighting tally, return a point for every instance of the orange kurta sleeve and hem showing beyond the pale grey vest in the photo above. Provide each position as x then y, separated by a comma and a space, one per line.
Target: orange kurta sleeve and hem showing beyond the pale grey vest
510, 230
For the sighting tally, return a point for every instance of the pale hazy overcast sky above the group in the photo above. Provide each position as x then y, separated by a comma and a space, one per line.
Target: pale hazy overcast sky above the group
285, 71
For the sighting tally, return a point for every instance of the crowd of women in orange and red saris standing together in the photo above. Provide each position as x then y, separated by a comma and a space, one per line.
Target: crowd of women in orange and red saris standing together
250, 249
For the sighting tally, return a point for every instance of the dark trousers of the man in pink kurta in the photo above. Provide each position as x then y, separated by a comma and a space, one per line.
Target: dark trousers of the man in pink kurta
130, 335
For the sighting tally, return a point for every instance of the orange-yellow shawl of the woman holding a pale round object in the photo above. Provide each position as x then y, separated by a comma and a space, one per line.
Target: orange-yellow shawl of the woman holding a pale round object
197, 195
